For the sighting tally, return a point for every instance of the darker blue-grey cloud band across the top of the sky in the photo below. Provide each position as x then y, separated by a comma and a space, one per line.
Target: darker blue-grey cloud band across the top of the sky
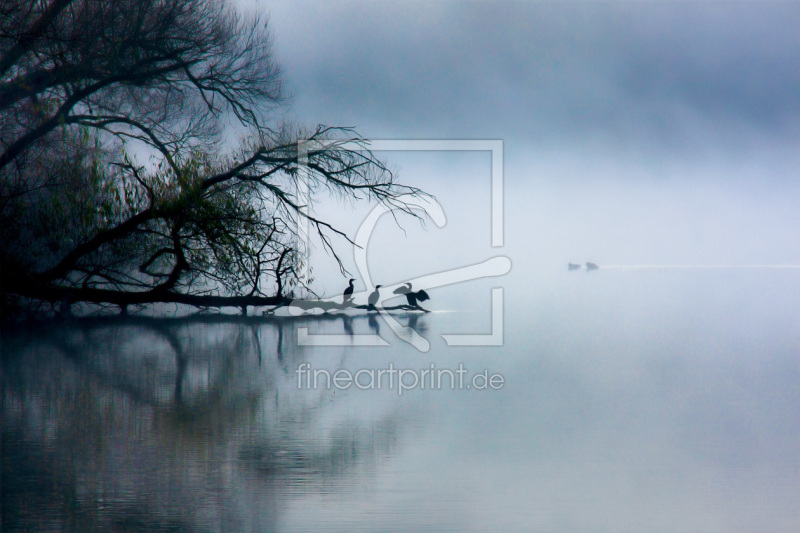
618, 72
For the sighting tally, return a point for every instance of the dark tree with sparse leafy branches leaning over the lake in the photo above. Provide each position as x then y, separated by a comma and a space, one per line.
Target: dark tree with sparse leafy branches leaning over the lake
117, 180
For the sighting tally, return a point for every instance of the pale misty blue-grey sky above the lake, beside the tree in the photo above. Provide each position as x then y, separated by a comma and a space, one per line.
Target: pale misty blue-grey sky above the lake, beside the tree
635, 132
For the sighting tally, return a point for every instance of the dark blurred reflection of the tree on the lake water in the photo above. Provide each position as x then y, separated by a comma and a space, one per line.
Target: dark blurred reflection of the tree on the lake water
153, 426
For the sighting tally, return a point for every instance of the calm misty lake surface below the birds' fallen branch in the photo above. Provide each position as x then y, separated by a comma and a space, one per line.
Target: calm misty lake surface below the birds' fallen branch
632, 401
